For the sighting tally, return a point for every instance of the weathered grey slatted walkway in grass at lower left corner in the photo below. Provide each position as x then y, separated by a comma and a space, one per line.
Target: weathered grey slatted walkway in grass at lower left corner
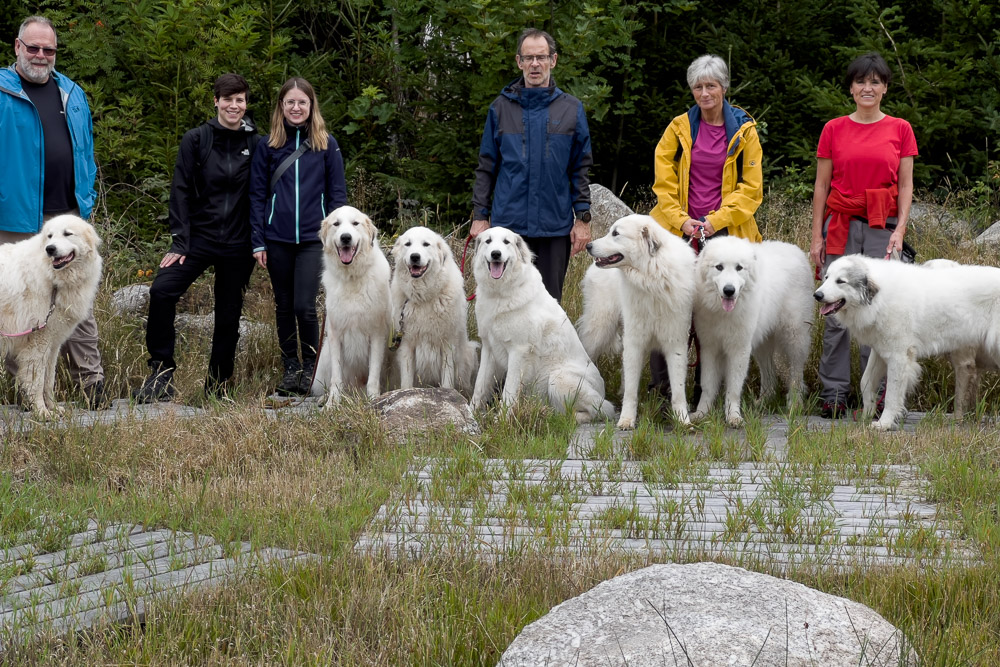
110, 574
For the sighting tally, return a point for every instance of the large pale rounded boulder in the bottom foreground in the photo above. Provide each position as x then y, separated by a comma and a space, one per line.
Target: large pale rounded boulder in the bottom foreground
707, 614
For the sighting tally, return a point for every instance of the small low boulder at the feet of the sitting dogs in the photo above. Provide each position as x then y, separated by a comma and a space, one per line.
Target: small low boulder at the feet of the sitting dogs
408, 412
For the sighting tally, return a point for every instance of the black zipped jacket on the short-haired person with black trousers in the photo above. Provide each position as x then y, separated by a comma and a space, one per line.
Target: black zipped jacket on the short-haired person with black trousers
209, 202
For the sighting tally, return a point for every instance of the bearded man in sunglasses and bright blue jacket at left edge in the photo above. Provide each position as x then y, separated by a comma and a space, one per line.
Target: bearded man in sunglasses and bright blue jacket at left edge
48, 168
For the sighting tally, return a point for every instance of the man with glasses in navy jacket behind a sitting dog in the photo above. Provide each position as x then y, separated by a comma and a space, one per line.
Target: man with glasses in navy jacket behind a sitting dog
533, 164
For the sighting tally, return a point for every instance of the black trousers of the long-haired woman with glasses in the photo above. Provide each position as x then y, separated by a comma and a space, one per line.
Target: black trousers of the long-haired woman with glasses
295, 270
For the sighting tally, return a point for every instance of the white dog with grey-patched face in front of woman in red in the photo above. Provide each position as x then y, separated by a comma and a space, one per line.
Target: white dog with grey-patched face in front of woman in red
907, 312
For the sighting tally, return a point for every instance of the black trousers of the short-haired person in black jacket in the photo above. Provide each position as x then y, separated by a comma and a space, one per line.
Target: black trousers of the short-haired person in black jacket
232, 276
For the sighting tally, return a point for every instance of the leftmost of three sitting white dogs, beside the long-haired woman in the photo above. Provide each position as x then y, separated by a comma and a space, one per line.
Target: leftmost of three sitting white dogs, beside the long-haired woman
358, 312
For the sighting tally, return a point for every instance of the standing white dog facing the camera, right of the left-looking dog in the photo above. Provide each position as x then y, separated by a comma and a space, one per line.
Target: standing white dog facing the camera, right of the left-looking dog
751, 299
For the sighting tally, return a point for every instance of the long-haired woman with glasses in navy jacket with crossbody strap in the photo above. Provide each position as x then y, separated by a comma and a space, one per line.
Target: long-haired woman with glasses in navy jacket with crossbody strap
285, 216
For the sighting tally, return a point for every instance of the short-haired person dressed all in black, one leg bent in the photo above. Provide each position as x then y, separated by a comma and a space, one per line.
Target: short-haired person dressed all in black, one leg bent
209, 226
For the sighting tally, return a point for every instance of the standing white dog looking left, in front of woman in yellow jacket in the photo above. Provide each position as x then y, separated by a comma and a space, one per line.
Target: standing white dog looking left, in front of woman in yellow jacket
656, 291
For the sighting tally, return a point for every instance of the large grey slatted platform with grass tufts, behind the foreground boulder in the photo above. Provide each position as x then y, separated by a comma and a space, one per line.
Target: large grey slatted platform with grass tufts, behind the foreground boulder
765, 512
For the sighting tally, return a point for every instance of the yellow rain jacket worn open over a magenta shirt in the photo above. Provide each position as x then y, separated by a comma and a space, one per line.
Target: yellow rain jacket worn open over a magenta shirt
742, 177
